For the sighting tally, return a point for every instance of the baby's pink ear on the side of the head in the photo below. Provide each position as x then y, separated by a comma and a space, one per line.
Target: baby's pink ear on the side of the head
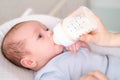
28, 62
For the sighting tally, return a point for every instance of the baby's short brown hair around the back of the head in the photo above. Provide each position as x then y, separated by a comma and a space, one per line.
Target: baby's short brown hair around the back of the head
14, 51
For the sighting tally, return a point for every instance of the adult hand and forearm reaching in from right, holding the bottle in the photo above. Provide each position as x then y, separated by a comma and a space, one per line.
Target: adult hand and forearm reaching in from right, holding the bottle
100, 36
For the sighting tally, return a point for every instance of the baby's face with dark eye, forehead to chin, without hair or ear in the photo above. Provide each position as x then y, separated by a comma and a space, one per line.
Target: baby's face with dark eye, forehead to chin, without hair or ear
38, 41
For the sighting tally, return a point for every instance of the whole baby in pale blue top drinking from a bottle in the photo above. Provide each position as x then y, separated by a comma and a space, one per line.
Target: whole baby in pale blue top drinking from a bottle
29, 44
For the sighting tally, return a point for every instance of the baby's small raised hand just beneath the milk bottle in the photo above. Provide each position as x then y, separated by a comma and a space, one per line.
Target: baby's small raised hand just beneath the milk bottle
76, 46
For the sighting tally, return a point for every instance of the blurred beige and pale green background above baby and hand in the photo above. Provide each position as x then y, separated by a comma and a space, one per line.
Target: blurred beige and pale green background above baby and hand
107, 10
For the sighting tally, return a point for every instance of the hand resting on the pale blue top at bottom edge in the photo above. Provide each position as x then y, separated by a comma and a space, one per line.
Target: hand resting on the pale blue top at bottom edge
94, 75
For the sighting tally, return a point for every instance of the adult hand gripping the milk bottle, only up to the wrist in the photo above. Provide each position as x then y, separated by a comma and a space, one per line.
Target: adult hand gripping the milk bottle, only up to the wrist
100, 36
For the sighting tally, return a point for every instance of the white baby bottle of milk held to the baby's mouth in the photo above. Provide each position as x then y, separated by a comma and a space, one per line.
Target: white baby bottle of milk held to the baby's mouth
71, 28
